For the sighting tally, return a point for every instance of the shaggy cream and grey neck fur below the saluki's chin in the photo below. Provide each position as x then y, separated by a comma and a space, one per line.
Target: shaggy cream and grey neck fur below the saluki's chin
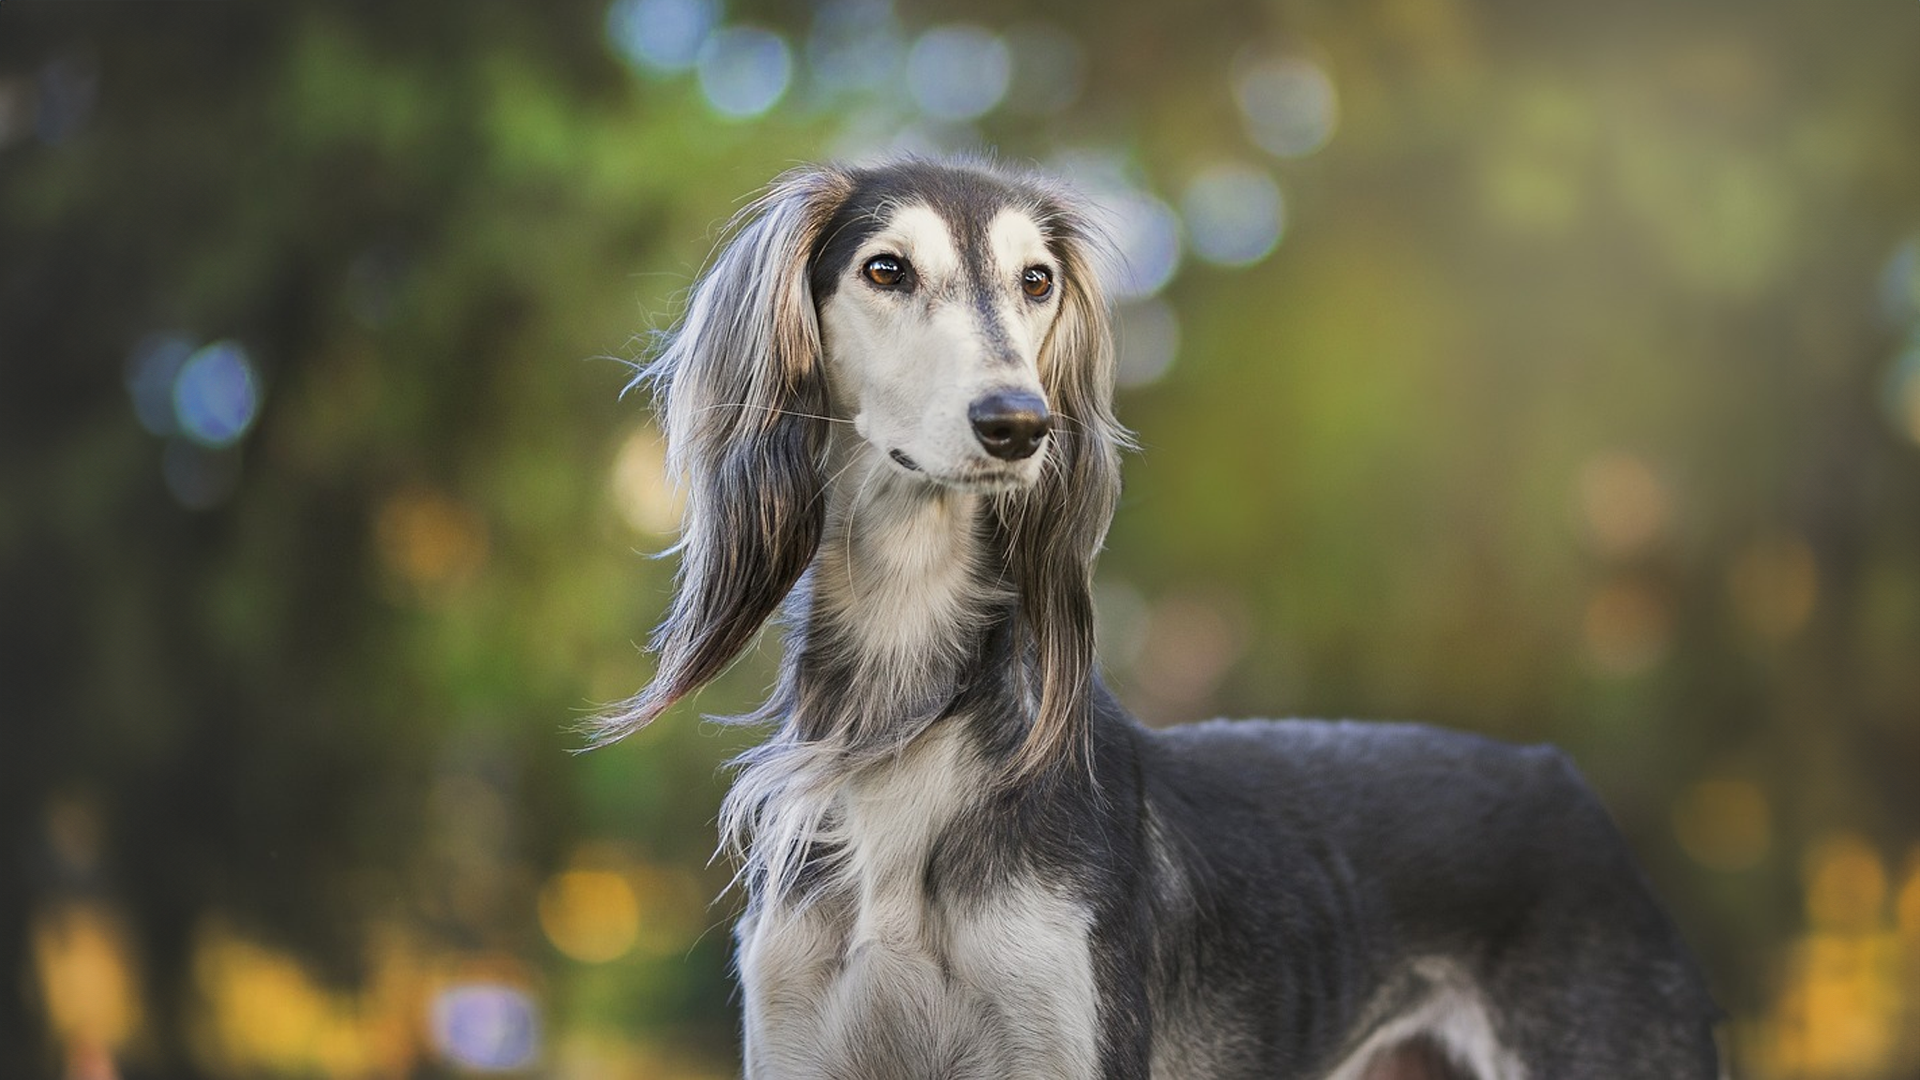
905, 620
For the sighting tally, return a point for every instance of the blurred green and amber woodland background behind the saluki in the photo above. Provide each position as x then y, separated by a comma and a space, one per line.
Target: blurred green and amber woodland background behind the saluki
1545, 370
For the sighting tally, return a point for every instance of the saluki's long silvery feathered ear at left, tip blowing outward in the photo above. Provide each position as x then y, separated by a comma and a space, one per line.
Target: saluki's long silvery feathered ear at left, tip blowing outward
742, 397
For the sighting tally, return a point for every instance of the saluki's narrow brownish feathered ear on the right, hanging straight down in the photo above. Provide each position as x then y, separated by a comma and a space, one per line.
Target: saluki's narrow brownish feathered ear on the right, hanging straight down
1055, 529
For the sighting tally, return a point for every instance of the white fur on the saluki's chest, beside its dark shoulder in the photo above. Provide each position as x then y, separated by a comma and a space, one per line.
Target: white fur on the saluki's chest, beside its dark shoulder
875, 979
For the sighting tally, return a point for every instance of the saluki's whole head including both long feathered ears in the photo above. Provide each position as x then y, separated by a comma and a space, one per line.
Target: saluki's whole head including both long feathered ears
951, 314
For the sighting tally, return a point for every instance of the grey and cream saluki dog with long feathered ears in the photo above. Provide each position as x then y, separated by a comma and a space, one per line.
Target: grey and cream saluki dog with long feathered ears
890, 401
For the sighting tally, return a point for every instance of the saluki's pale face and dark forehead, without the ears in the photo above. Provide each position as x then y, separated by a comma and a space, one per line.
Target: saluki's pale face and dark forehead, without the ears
938, 289
